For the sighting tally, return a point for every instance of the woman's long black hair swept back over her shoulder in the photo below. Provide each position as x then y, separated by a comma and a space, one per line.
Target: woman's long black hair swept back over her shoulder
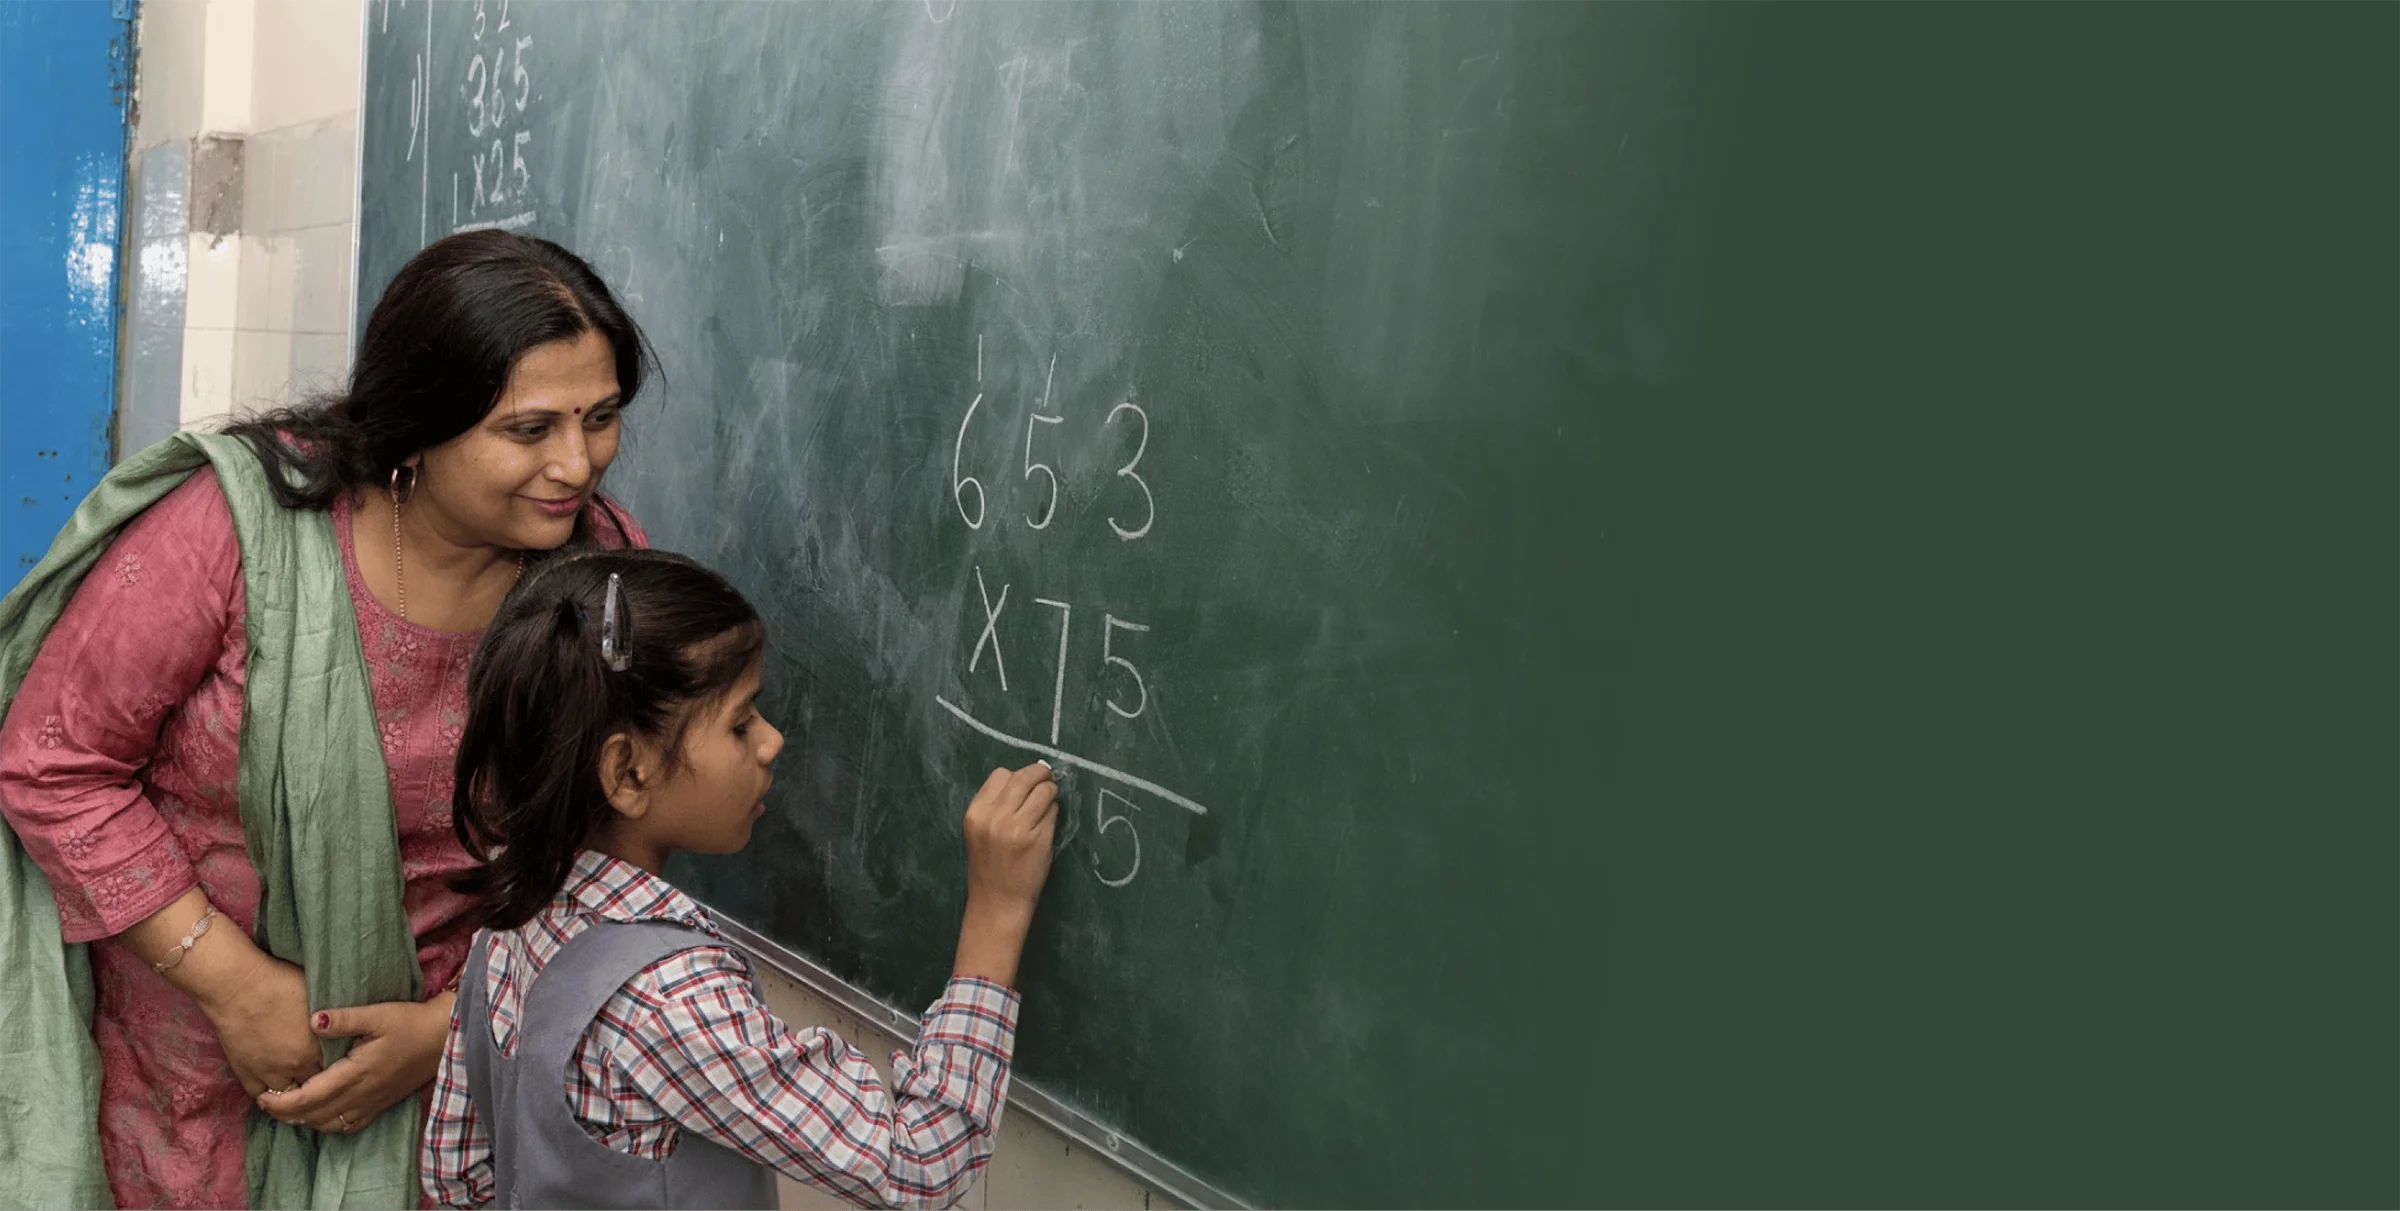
436, 359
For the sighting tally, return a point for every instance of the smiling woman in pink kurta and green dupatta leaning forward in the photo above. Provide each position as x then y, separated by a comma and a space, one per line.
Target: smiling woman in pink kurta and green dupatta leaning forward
136, 754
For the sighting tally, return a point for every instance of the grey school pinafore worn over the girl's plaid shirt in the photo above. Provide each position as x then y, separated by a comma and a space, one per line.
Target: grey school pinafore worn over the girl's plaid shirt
541, 1155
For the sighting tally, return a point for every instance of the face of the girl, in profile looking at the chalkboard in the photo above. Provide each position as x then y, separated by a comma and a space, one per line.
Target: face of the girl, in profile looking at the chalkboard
719, 788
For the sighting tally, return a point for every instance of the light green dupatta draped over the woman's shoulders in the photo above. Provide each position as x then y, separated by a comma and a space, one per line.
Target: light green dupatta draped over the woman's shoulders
316, 819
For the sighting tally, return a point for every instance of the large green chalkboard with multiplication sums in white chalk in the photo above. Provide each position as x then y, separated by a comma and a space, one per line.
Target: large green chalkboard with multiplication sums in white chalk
1523, 519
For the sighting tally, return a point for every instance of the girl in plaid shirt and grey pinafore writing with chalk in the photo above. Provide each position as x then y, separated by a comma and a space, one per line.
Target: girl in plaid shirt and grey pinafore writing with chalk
613, 718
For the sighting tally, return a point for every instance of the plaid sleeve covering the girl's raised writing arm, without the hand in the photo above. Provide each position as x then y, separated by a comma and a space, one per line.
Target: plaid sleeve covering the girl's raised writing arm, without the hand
709, 1056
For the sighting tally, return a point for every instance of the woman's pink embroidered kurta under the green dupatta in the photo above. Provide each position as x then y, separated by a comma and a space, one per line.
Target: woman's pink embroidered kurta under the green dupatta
119, 771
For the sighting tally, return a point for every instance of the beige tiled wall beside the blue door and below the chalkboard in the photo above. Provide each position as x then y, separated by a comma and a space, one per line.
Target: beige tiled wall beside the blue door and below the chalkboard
244, 299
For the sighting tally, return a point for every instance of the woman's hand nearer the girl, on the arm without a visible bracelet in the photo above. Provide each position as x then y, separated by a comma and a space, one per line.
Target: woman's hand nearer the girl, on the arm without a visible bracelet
397, 1052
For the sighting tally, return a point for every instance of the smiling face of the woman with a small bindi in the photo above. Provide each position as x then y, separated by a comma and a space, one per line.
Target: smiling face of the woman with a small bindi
522, 476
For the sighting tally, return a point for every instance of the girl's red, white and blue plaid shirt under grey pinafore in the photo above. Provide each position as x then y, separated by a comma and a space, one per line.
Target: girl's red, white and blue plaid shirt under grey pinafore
688, 1047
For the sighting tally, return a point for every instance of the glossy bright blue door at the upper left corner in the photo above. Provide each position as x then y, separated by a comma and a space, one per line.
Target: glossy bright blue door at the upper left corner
64, 76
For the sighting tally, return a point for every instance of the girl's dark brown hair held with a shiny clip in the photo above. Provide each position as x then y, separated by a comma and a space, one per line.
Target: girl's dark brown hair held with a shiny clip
541, 701
